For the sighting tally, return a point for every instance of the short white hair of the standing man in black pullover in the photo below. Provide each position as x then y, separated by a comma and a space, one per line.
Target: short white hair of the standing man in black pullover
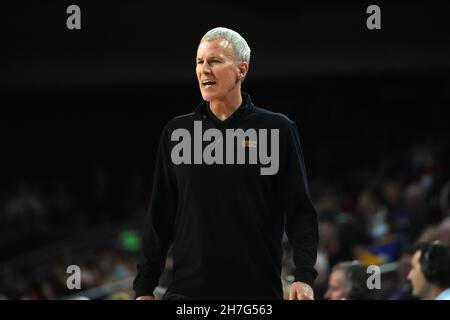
238, 43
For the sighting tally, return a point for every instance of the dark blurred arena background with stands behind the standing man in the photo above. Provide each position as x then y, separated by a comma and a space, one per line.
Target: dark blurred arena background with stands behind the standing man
82, 112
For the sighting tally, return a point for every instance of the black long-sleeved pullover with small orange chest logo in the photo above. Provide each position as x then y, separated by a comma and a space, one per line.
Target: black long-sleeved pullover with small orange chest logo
226, 221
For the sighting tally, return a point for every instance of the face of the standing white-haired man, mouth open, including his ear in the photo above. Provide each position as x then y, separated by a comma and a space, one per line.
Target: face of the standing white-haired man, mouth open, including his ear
217, 65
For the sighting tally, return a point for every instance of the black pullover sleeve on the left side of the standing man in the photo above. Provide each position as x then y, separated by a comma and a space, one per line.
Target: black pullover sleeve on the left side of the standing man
158, 228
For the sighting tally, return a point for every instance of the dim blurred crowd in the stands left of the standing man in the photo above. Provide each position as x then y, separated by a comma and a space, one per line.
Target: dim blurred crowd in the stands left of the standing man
49, 224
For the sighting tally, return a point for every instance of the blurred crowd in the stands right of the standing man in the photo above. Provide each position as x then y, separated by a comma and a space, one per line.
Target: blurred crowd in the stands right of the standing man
375, 216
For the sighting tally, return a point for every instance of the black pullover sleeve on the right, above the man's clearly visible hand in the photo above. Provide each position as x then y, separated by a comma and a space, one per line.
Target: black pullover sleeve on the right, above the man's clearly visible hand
301, 217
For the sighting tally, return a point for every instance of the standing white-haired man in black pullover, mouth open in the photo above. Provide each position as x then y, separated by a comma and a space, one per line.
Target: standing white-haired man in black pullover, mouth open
215, 199
